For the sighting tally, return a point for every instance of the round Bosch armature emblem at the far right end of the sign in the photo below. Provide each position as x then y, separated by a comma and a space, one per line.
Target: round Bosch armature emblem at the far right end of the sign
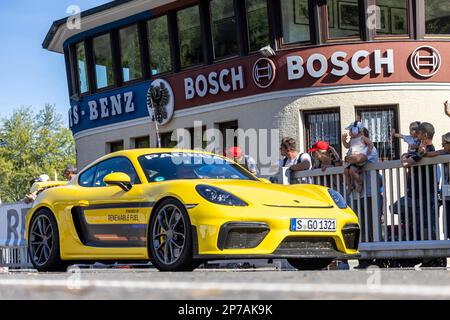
425, 61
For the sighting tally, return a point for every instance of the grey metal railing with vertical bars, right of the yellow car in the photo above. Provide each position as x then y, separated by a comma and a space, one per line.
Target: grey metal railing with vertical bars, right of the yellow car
402, 211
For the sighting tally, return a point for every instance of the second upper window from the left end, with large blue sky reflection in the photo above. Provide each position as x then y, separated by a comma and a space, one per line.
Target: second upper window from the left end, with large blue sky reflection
103, 61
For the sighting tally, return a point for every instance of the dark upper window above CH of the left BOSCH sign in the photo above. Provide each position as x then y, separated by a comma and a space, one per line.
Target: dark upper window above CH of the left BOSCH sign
223, 26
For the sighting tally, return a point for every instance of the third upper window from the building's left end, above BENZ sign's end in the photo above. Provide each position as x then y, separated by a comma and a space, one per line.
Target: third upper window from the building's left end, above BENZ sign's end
130, 54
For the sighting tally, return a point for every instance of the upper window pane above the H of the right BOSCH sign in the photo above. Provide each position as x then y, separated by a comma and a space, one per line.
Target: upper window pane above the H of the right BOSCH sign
392, 17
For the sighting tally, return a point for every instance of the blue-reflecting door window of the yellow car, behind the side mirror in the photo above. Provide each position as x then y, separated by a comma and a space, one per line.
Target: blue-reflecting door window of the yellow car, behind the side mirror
115, 165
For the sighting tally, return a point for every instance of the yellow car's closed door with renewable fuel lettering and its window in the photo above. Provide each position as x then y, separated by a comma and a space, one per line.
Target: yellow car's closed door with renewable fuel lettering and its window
108, 216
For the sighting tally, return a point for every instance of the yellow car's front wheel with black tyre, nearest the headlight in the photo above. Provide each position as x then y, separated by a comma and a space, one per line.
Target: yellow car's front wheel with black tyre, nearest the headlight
170, 238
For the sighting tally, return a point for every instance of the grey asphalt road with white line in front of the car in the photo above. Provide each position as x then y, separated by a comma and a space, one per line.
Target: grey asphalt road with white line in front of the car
235, 284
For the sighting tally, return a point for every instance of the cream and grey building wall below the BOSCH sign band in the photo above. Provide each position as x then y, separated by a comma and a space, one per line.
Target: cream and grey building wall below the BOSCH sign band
284, 113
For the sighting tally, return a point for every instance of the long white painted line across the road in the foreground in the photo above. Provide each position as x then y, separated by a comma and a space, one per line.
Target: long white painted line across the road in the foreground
390, 289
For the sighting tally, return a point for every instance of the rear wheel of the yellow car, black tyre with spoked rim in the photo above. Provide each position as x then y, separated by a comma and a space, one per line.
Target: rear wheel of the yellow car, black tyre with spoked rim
43, 243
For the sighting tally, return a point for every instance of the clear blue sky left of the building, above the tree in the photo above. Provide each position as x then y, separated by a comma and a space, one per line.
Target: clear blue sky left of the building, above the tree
29, 74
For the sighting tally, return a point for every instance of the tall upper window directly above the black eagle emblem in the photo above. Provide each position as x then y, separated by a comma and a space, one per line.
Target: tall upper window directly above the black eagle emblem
159, 44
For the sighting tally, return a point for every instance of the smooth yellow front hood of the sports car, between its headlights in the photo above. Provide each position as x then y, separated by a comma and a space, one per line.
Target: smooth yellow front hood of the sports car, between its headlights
275, 195
